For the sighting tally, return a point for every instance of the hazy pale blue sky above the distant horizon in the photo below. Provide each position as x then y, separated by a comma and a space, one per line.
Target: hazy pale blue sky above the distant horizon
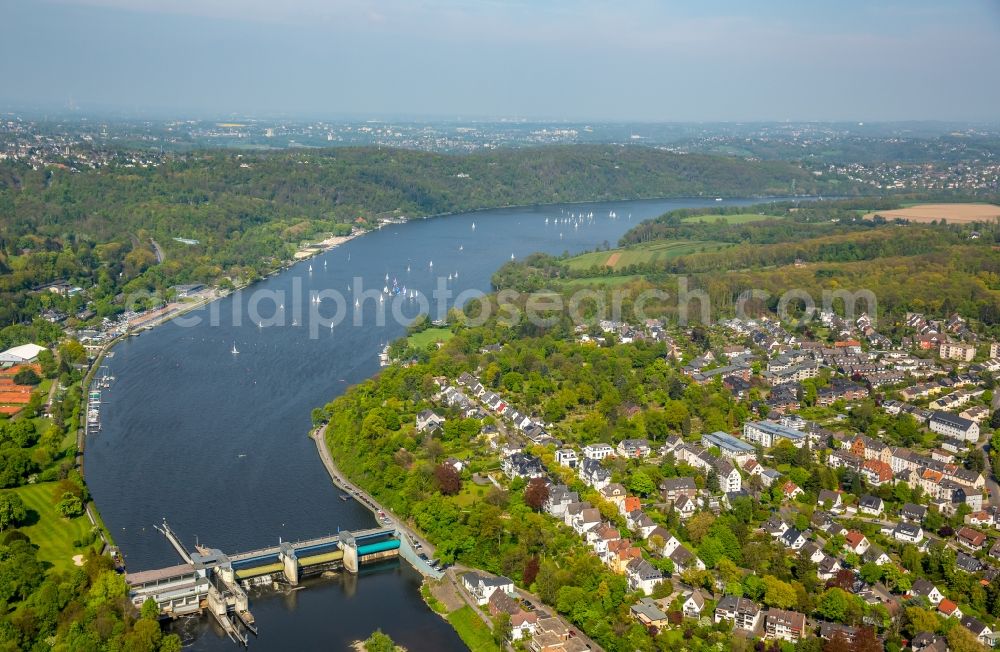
553, 59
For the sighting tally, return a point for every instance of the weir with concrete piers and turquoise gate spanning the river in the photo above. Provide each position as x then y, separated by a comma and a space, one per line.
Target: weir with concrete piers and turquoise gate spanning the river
210, 580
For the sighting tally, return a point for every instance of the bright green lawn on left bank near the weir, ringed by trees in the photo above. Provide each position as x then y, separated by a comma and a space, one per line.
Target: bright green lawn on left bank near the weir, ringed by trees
53, 534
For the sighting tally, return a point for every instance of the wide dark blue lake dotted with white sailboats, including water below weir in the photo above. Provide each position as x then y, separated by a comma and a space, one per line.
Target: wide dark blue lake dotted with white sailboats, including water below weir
217, 443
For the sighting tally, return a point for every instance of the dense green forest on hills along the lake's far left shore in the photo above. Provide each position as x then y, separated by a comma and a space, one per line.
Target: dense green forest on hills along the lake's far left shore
243, 214
